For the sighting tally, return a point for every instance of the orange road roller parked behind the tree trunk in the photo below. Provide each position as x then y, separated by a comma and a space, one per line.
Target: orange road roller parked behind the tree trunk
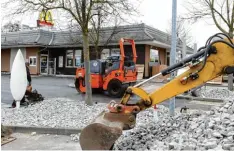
113, 75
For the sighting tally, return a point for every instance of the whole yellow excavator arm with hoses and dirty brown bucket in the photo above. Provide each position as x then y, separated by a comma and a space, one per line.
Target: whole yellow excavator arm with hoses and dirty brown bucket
214, 59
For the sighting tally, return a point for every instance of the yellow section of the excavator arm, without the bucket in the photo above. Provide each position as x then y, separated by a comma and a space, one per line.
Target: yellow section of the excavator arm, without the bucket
220, 60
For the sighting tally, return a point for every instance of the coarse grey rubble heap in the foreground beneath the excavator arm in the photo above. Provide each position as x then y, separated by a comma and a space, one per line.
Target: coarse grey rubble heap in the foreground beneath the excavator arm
196, 131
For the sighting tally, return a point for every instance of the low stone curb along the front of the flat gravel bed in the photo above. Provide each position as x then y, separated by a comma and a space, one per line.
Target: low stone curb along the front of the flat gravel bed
44, 130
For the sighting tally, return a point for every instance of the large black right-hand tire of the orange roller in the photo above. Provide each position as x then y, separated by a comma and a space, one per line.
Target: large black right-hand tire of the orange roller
115, 88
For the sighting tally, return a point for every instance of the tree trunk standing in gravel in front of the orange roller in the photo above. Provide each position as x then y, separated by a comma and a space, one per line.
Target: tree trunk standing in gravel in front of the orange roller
88, 95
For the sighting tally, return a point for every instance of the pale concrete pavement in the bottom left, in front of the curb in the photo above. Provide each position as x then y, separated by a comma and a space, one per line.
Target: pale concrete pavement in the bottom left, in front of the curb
41, 142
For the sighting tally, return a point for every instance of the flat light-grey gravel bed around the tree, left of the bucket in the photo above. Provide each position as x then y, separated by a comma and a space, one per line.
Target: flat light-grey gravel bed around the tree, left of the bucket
57, 112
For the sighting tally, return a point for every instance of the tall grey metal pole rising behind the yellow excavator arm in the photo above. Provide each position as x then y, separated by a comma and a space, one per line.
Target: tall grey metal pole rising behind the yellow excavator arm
173, 52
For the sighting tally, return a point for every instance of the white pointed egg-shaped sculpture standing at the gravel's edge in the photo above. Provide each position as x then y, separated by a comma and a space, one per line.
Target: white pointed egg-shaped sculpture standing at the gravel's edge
18, 81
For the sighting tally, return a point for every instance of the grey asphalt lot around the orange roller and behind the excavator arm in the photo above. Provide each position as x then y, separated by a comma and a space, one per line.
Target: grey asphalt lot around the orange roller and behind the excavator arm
52, 87
